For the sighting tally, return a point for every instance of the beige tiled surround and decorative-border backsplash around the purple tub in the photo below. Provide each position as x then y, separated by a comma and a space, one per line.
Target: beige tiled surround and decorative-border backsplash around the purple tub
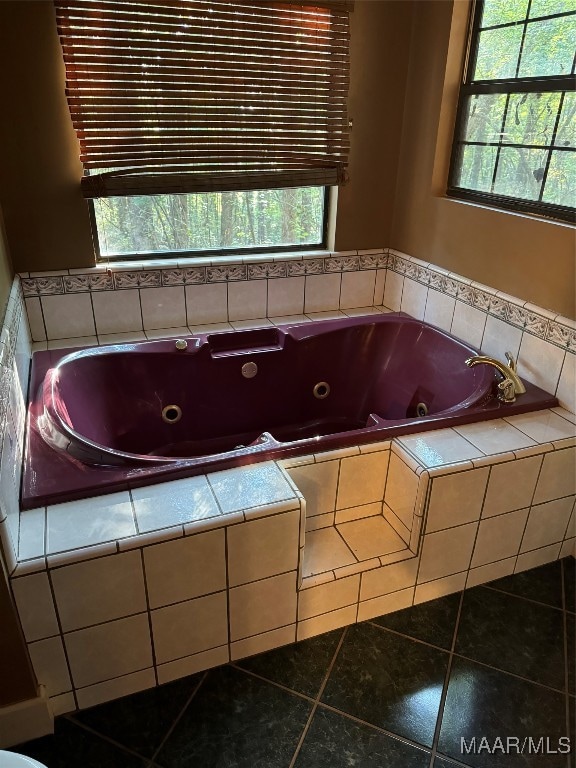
258, 557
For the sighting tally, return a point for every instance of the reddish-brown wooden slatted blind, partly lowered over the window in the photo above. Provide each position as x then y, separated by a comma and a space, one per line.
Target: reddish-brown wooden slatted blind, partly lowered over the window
173, 96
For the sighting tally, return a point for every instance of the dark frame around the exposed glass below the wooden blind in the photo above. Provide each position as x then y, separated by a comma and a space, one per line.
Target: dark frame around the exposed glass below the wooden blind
211, 252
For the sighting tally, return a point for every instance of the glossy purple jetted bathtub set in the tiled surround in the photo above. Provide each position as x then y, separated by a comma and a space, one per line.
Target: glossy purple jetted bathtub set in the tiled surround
115, 417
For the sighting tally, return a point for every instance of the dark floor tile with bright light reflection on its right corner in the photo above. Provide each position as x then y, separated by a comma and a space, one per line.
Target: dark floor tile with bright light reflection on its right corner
389, 681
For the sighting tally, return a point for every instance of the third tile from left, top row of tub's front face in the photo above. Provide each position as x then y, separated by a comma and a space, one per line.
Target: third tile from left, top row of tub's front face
182, 569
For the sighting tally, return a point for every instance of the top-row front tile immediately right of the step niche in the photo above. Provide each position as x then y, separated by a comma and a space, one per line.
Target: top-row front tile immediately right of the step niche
456, 499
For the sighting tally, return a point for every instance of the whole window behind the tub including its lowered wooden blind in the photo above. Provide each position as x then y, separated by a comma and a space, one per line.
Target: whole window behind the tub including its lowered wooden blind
207, 125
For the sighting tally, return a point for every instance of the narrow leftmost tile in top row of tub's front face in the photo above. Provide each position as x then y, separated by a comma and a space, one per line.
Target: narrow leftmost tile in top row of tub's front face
35, 606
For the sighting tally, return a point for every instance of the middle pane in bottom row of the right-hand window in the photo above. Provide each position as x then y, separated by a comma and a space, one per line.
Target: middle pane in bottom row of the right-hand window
520, 172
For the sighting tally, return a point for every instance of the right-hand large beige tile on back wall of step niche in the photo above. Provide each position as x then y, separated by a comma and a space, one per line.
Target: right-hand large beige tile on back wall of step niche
362, 479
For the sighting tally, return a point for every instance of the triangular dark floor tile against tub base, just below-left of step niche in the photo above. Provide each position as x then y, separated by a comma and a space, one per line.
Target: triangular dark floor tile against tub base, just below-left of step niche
300, 666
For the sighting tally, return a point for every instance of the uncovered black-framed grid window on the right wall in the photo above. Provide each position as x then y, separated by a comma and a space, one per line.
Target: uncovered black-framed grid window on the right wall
515, 140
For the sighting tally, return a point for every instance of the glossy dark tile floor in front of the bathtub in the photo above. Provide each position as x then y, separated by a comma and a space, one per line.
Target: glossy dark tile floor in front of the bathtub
495, 663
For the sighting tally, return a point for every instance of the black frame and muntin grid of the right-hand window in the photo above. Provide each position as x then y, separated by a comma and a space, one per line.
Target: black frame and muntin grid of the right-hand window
539, 84
